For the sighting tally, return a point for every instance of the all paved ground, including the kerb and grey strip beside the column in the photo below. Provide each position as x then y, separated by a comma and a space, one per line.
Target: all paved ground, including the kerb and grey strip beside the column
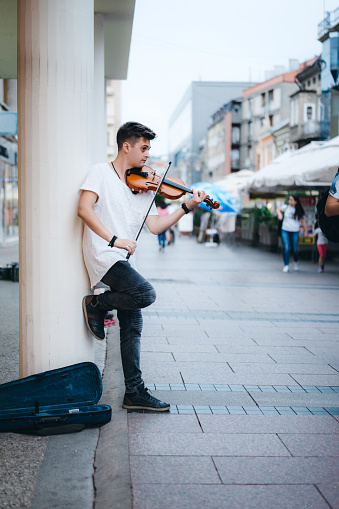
248, 358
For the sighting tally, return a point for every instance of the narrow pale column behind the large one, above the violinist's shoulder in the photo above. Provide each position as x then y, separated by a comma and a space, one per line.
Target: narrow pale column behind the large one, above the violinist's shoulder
100, 117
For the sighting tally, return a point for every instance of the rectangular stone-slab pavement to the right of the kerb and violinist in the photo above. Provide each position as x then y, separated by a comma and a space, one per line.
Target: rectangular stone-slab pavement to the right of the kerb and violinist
248, 358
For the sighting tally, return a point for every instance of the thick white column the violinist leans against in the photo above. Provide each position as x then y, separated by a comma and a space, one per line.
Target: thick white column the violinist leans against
55, 112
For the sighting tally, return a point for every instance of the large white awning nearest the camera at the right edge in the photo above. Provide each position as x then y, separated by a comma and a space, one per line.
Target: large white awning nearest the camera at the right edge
310, 167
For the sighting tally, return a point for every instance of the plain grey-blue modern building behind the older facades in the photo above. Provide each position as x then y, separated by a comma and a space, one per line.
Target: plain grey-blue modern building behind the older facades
190, 120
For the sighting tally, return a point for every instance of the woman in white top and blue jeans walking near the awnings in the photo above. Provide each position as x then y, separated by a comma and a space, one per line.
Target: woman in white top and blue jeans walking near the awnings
292, 216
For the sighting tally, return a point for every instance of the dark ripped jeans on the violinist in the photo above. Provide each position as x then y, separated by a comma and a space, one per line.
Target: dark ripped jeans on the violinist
129, 293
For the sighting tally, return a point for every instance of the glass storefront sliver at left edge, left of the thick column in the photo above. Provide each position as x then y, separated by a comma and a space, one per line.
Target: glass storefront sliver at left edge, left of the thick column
9, 213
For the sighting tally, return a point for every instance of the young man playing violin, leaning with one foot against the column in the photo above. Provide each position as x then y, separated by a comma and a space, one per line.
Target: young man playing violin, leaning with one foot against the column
112, 214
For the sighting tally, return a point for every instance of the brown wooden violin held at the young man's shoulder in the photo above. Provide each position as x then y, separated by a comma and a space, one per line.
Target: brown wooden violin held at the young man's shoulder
142, 180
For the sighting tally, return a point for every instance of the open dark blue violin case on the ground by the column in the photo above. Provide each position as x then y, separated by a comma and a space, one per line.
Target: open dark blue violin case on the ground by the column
58, 401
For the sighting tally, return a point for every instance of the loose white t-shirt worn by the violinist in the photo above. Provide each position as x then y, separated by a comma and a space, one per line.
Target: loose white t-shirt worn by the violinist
120, 211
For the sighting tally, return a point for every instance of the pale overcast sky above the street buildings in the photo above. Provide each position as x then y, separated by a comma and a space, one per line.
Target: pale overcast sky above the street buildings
175, 42
